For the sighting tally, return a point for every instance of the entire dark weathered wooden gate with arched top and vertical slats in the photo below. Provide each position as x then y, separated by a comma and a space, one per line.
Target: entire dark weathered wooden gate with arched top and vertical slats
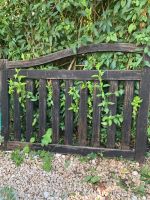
113, 77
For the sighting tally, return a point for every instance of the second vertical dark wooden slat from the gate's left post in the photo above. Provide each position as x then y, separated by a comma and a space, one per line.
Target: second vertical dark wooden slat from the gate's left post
29, 111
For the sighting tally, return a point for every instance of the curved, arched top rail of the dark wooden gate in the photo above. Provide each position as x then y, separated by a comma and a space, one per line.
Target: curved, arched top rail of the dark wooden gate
92, 48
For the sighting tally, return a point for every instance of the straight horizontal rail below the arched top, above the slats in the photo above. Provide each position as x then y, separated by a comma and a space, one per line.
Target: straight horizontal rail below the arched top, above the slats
78, 74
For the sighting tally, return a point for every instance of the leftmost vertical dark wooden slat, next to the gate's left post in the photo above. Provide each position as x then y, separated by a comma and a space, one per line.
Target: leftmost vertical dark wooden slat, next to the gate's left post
17, 121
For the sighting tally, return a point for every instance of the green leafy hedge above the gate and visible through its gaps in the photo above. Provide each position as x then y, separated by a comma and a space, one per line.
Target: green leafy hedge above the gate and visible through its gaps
30, 29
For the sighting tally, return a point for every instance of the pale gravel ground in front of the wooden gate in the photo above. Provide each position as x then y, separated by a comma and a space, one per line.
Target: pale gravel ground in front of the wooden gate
119, 179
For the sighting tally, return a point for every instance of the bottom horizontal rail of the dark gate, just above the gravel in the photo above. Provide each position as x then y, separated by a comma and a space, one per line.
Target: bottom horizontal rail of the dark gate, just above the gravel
64, 149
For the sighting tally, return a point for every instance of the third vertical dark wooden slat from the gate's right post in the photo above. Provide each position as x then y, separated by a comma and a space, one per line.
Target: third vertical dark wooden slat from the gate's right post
96, 116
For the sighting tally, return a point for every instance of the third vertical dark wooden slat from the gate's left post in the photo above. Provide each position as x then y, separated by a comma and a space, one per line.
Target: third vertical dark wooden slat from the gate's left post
42, 107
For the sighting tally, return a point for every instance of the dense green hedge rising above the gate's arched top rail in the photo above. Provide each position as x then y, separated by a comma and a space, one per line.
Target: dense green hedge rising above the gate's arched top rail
32, 28
